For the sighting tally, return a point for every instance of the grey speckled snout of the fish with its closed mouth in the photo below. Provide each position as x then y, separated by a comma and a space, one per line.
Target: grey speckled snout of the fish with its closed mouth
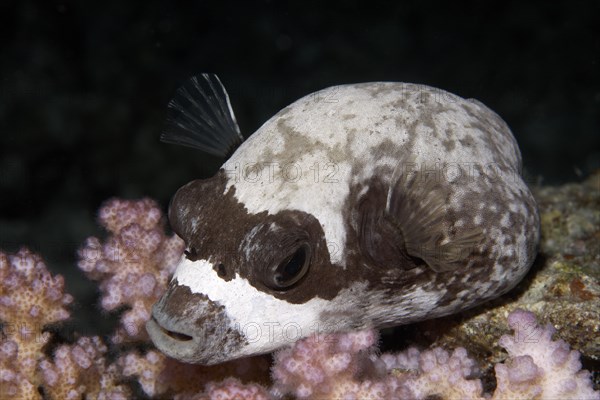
192, 328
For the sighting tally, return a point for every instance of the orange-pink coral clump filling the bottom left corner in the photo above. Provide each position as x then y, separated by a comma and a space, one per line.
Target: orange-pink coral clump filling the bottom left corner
31, 298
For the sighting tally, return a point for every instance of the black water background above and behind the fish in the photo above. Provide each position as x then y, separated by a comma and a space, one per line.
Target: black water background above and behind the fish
84, 88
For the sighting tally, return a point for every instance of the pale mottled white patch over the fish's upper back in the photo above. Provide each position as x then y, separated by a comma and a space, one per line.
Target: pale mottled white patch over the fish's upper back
337, 128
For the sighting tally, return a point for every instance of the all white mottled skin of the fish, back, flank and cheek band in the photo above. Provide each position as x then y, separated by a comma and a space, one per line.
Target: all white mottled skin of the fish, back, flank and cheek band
342, 137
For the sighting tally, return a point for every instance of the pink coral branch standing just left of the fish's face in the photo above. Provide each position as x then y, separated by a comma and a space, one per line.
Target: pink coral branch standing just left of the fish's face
134, 264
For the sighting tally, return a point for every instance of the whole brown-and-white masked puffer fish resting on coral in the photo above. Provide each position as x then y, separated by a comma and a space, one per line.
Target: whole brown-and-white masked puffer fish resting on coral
361, 205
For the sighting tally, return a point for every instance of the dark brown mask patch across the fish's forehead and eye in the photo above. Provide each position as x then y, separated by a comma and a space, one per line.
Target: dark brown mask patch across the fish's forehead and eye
220, 228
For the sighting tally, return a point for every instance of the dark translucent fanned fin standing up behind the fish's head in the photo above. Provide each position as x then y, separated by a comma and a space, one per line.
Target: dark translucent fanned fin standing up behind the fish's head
200, 116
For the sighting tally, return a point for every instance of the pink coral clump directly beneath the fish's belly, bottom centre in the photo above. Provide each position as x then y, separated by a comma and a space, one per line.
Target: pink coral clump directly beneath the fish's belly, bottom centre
346, 366
